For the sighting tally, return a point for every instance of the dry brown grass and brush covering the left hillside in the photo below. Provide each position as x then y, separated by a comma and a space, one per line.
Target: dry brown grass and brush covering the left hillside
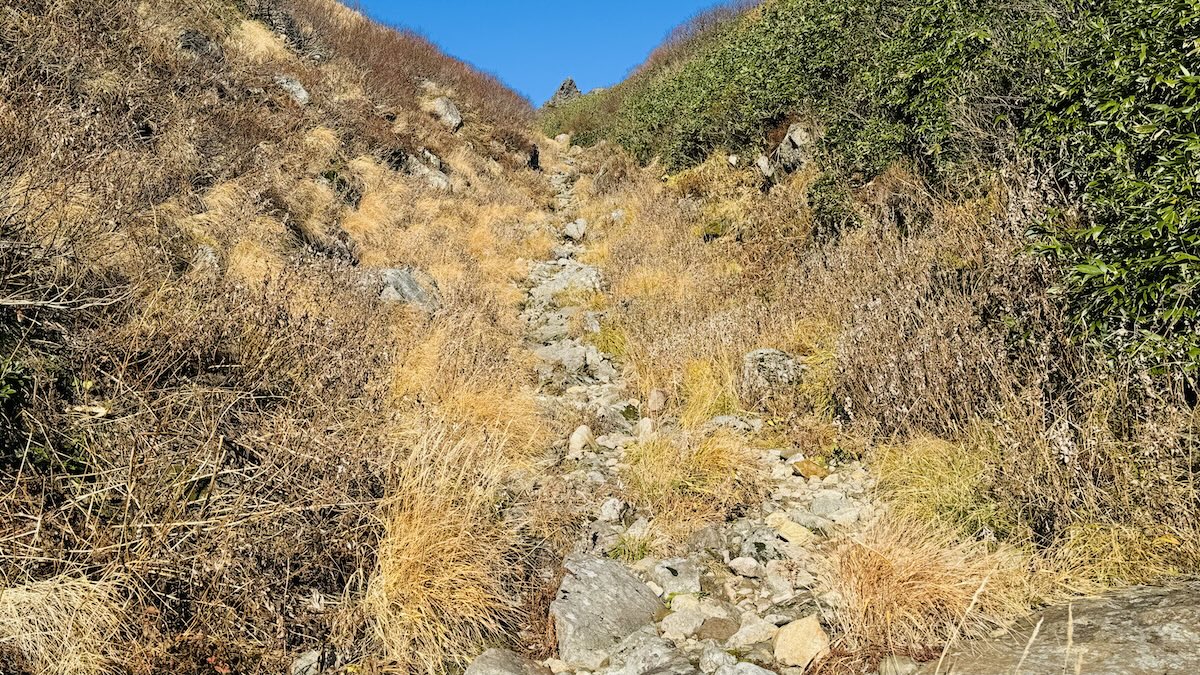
202, 393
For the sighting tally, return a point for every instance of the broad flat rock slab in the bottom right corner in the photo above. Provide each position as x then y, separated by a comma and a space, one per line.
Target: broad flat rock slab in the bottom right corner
1141, 631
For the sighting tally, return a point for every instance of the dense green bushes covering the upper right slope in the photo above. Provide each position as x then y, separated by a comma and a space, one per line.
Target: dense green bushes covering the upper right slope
1100, 92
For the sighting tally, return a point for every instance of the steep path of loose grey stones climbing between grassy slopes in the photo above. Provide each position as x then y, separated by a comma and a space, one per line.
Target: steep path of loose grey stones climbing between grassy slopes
747, 587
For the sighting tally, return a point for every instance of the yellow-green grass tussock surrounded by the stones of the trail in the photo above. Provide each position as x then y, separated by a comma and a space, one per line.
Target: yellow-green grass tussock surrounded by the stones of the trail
693, 482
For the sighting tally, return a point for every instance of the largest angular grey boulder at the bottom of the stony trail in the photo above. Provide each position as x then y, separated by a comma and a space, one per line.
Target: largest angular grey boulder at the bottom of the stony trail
598, 606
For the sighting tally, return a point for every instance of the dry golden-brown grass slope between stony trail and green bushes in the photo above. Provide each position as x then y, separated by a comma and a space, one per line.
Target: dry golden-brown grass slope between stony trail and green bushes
929, 333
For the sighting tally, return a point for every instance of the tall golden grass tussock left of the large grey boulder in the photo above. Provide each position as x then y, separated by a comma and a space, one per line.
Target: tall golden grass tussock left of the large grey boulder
443, 587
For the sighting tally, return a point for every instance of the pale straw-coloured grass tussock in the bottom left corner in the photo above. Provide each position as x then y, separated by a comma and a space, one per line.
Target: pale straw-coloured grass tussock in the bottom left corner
63, 626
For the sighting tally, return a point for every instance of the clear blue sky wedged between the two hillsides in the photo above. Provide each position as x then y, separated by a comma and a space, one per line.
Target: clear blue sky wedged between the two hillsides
533, 46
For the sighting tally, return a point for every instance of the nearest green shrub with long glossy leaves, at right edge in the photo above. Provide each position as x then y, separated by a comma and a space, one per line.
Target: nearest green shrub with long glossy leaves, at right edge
1120, 123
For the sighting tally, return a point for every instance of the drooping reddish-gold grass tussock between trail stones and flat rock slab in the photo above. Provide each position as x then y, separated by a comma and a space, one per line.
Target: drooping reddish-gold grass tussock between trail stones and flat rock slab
908, 586
